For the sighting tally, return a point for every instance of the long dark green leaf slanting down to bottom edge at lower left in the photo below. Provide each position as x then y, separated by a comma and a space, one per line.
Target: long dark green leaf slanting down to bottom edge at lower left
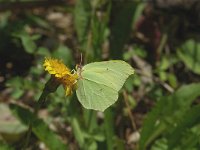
39, 127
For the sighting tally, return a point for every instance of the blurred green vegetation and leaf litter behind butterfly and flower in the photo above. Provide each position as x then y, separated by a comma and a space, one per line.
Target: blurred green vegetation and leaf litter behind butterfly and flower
158, 107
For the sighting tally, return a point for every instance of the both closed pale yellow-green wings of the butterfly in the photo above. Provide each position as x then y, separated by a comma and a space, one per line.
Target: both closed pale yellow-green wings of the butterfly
100, 82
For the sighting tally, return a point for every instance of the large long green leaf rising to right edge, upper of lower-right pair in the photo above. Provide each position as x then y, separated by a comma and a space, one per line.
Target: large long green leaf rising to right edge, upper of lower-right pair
167, 112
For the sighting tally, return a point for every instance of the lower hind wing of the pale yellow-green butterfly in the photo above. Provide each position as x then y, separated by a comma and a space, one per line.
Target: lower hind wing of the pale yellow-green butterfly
95, 96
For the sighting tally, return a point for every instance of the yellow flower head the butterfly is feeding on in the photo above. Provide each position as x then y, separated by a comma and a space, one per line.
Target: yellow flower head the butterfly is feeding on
63, 74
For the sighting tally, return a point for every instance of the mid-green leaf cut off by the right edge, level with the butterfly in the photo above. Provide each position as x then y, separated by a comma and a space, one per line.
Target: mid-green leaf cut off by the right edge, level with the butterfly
189, 53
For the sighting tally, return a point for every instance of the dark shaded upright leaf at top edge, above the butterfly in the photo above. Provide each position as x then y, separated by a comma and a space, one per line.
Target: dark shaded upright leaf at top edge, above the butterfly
121, 26
